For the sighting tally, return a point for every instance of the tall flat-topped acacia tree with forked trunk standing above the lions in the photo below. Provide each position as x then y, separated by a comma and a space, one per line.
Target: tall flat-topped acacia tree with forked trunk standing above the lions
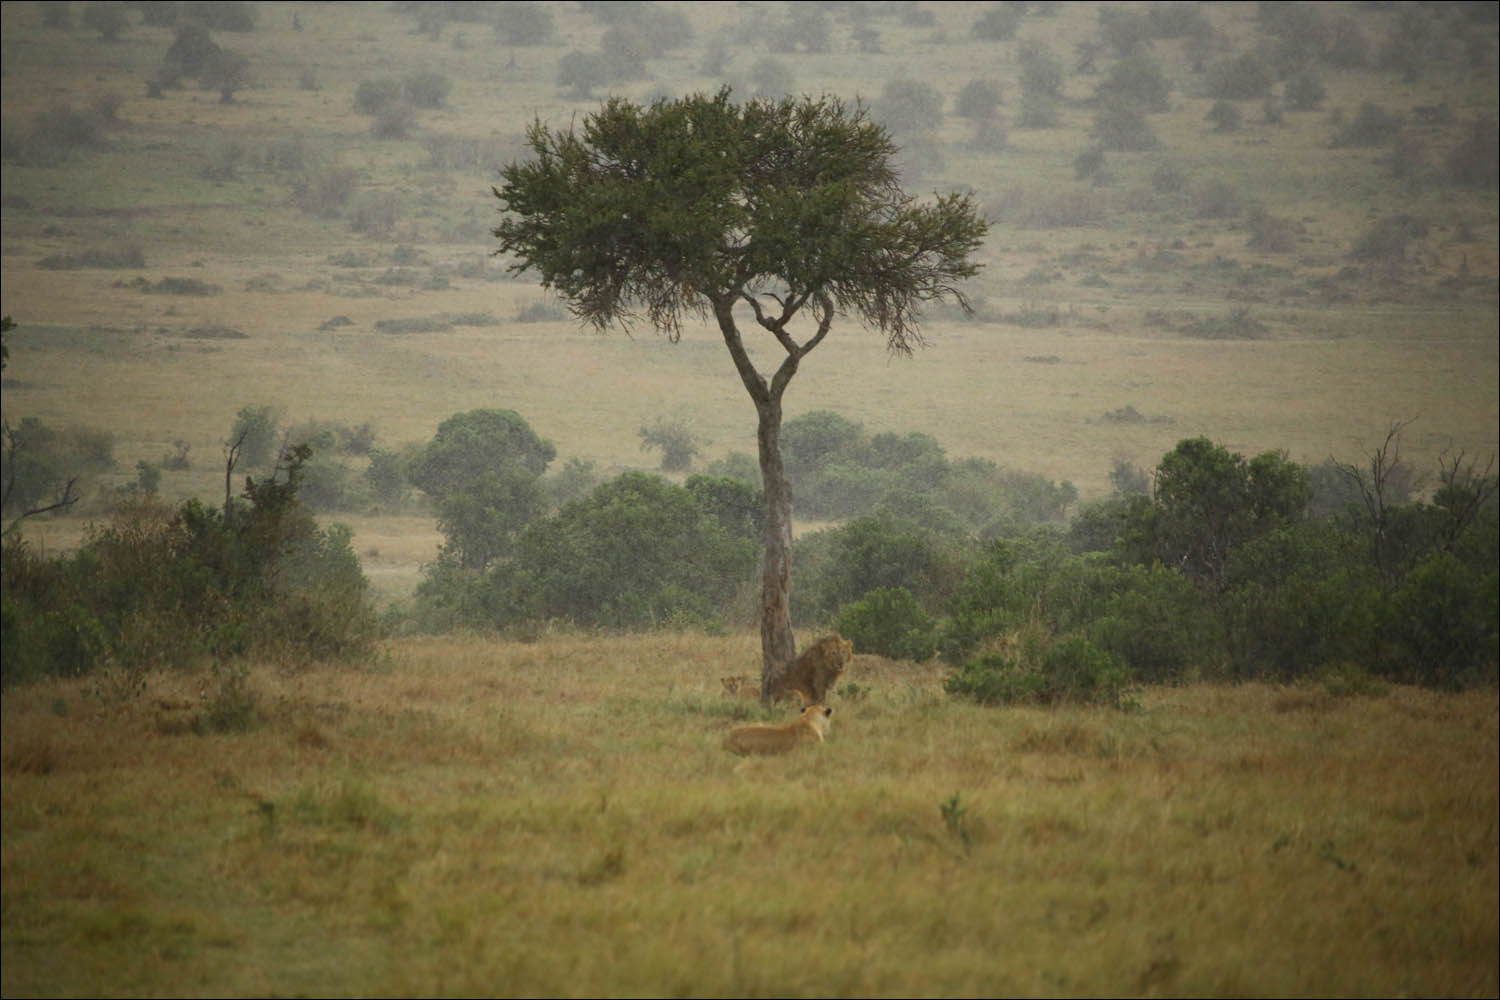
787, 214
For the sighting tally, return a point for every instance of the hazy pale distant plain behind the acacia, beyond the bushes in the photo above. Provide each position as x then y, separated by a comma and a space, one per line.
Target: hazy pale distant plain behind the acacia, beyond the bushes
1081, 310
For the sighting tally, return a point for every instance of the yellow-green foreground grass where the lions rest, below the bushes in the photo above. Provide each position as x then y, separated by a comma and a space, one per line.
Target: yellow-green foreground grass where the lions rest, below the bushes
484, 818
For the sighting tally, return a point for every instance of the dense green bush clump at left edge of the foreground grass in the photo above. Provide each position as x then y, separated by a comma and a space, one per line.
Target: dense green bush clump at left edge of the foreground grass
160, 588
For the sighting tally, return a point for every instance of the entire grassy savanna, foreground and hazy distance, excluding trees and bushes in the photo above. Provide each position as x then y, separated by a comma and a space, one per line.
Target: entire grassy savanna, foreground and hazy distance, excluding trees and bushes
478, 815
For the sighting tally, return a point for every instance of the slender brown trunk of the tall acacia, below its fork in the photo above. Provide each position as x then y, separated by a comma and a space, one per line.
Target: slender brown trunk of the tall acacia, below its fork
778, 644
